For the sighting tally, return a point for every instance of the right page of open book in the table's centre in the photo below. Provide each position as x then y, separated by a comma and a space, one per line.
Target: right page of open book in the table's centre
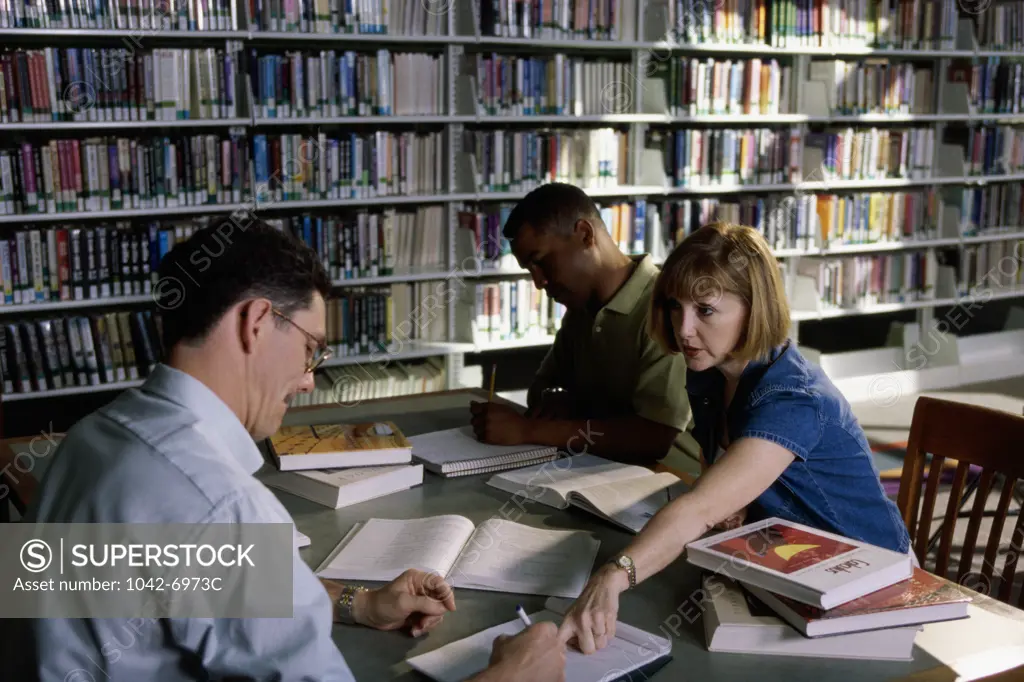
505, 557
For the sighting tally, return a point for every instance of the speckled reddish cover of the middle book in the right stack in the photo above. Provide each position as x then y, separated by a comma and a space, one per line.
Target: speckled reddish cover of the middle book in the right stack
923, 589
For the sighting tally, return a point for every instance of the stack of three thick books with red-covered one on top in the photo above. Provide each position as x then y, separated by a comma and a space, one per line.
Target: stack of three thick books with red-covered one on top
776, 587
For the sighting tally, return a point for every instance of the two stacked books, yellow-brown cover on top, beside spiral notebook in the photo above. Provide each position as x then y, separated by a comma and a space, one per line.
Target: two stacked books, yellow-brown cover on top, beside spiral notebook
340, 465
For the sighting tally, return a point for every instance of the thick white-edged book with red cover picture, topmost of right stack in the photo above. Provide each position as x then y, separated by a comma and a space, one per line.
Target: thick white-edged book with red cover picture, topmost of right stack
813, 567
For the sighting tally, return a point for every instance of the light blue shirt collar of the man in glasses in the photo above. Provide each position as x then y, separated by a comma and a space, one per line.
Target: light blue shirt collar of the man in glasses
215, 419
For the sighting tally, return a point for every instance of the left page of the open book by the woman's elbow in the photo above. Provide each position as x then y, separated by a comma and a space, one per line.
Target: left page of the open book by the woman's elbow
565, 476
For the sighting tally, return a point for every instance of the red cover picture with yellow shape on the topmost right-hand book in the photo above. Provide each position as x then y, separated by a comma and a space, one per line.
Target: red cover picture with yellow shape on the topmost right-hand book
784, 548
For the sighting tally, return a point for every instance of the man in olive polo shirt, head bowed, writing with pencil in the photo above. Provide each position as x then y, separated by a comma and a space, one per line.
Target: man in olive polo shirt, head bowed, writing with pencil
605, 387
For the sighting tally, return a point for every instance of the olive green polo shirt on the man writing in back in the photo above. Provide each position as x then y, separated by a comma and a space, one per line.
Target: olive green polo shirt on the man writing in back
613, 368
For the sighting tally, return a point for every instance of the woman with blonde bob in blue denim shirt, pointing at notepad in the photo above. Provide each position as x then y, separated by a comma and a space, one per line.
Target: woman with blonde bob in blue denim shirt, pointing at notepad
778, 437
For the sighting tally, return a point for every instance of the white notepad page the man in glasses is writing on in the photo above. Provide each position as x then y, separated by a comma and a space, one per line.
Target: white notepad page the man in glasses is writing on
460, 660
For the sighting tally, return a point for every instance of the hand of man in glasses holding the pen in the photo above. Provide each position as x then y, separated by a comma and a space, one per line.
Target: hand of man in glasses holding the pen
535, 656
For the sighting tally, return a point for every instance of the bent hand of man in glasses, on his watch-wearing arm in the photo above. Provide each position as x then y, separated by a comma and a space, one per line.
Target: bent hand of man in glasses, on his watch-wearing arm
416, 601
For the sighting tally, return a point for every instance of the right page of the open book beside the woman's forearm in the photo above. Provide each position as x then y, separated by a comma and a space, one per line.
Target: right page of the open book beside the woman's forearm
632, 502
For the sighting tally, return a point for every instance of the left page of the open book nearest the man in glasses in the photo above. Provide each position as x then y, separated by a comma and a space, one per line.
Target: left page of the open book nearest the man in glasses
383, 549
